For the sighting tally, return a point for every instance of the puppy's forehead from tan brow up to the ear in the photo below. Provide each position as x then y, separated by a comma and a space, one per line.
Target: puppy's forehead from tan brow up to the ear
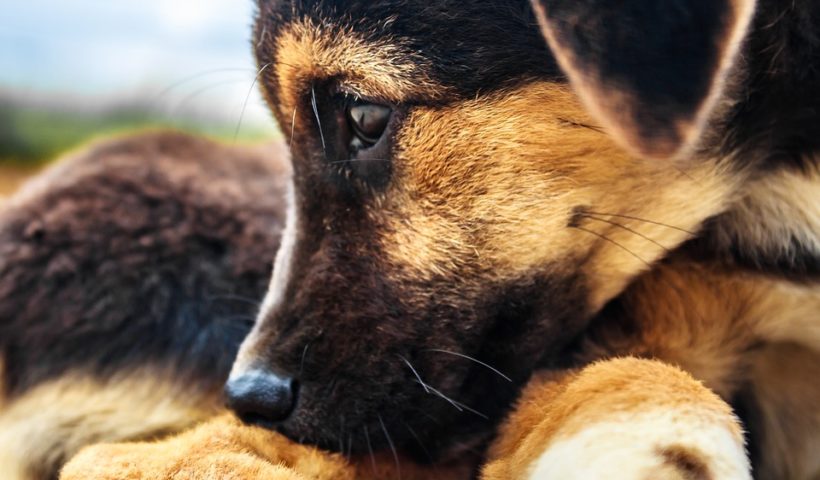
462, 46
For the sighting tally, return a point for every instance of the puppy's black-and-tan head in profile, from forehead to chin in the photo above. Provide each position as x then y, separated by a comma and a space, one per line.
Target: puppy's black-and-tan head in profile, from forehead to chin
459, 208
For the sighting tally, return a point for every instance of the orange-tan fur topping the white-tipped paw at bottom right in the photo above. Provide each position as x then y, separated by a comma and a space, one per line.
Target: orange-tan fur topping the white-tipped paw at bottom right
563, 407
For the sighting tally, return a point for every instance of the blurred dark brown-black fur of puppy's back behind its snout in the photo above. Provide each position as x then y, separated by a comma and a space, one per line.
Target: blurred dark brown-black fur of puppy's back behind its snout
149, 251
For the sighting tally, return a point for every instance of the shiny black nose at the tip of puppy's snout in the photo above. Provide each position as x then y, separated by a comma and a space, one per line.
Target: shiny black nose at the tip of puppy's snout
261, 398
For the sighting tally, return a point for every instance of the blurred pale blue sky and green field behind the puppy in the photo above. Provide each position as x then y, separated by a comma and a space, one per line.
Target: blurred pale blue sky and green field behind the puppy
72, 70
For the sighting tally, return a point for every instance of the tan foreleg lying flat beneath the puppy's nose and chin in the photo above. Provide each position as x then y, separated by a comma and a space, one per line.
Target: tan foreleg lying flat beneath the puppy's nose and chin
226, 449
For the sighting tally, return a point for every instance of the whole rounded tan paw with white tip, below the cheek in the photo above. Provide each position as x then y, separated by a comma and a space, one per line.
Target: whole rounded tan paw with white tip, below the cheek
623, 418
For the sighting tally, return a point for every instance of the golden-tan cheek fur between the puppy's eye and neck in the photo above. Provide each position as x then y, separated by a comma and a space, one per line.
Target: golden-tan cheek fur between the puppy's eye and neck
495, 182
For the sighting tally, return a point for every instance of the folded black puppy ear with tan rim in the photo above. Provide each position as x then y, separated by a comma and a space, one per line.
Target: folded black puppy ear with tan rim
649, 70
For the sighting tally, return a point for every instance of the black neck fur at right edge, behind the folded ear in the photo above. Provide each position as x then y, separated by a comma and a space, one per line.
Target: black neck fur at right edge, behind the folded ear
775, 123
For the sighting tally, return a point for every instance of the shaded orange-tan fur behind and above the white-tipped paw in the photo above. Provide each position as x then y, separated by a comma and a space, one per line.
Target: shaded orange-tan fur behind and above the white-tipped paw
705, 320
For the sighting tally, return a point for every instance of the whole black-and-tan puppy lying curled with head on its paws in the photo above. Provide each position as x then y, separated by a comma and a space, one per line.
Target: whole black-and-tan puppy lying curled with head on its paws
509, 231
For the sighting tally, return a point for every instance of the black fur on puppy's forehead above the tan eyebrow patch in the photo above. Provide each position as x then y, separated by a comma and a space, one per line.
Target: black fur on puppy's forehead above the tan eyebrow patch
470, 46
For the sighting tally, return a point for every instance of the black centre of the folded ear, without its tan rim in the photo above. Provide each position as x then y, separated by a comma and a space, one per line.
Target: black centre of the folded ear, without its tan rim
664, 53
